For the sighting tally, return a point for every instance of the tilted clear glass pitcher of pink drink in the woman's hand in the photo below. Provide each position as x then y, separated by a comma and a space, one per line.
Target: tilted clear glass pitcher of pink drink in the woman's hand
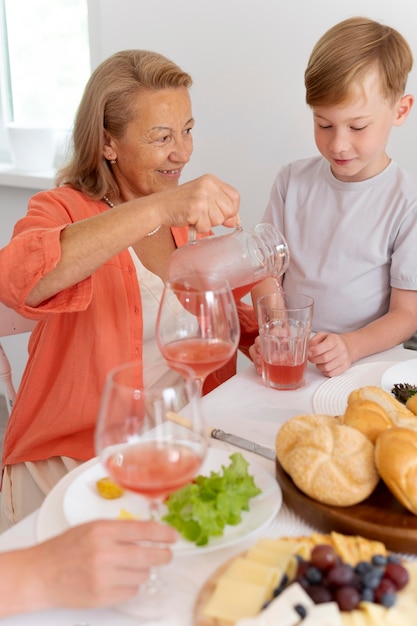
244, 258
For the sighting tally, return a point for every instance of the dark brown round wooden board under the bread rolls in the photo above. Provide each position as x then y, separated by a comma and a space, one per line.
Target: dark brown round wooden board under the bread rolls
380, 517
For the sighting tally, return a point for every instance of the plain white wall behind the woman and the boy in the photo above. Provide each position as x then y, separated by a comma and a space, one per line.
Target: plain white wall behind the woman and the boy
247, 58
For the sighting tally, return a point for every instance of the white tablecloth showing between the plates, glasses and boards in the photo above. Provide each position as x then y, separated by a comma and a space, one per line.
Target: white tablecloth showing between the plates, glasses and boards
244, 406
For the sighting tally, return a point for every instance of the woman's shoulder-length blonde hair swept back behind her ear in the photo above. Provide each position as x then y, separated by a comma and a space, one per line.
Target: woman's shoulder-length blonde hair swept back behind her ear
108, 103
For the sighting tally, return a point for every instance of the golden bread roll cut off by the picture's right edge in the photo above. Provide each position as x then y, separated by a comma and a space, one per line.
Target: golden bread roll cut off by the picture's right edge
396, 461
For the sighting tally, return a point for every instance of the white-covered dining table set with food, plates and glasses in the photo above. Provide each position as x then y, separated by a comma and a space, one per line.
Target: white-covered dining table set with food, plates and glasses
242, 405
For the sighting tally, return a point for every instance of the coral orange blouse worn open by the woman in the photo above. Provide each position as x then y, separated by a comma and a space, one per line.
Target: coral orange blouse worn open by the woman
82, 332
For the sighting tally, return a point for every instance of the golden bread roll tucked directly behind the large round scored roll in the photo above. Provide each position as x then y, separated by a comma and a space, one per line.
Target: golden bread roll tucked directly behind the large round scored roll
367, 416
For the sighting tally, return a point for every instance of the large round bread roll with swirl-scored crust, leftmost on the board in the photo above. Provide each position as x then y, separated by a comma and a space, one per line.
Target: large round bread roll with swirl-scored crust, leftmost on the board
328, 461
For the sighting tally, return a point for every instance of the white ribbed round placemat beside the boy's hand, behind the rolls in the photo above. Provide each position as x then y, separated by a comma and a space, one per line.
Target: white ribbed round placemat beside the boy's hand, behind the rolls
331, 397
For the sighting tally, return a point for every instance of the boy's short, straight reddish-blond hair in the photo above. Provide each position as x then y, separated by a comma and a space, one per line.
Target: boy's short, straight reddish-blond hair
346, 53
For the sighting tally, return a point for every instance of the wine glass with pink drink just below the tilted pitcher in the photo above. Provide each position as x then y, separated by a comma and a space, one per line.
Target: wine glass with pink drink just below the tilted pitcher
197, 324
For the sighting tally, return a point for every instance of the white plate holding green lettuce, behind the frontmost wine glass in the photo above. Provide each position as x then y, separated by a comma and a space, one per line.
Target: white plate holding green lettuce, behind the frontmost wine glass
75, 500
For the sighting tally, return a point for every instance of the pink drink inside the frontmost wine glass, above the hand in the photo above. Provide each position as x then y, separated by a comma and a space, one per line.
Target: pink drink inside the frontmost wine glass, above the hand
153, 469
